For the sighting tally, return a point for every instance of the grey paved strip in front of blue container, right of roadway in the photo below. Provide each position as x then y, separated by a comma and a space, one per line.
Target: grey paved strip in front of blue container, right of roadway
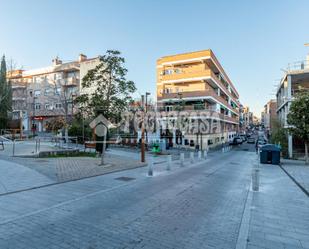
279, 212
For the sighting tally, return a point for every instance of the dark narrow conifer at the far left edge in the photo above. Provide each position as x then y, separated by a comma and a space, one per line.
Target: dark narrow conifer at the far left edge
5, 95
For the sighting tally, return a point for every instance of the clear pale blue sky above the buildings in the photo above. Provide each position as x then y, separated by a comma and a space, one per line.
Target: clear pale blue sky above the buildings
253, 40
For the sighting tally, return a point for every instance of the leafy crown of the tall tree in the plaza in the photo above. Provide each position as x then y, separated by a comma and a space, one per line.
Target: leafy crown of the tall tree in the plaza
110, 90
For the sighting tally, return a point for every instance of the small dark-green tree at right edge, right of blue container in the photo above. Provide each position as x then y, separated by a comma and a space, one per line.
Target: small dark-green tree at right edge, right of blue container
298, 118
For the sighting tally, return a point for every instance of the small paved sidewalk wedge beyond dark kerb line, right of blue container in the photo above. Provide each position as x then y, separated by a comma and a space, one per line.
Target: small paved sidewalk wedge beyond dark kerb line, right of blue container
298, 170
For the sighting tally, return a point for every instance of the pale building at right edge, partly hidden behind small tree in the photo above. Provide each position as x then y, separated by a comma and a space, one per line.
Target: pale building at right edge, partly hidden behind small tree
295, 80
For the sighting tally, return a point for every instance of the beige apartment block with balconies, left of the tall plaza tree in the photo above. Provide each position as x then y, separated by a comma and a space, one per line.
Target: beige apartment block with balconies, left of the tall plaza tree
43, 94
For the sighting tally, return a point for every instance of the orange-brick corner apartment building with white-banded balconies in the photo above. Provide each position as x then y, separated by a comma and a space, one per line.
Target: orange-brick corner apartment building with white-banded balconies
195, 82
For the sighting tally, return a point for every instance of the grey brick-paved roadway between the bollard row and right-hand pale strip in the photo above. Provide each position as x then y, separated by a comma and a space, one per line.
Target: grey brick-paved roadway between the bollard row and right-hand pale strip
198, 206
